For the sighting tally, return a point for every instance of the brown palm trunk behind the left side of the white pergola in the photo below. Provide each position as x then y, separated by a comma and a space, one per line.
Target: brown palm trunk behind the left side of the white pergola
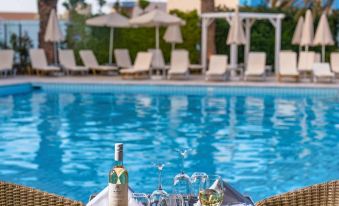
209, 6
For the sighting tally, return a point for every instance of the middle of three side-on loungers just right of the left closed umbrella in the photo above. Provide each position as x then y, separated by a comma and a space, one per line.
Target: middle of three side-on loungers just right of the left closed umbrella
67, 60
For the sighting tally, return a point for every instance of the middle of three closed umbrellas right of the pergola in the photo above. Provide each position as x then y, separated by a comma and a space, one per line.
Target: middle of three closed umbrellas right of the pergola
307, 34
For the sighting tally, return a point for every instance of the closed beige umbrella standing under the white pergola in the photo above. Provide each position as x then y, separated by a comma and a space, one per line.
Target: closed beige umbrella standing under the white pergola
236, 36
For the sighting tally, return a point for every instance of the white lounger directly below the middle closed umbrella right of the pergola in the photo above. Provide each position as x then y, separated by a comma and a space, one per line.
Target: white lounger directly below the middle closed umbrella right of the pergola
305, 64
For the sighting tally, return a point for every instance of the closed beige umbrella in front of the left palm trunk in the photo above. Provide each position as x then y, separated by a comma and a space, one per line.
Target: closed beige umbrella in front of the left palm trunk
54, 33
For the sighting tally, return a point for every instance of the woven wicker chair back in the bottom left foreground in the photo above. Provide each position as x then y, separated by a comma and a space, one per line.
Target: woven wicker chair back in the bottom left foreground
16, 195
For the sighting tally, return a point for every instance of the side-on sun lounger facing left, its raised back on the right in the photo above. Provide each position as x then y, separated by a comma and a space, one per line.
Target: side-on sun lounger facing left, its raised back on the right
141, 67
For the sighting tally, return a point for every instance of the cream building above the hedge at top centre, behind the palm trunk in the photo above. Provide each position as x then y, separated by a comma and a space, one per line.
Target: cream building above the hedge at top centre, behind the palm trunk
190, 5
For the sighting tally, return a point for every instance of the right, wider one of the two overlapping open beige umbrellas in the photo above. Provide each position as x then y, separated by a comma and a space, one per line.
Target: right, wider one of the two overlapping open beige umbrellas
156, 18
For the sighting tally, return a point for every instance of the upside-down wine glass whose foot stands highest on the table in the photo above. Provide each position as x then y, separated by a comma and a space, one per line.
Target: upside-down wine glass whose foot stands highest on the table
182, 182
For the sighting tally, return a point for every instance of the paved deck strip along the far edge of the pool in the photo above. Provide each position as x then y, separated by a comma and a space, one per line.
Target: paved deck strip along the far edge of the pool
195, 80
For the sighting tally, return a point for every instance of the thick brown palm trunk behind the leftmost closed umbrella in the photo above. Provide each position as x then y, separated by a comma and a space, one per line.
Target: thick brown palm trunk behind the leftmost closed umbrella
44, 8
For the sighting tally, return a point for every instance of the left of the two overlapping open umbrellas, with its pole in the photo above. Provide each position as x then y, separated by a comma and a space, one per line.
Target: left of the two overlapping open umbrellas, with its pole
112, 20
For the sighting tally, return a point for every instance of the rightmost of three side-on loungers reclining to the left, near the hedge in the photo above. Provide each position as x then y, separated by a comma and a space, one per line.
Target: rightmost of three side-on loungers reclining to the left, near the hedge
91, 62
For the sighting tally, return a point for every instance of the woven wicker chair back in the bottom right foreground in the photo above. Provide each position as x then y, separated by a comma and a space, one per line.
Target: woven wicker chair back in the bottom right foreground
326, 194
